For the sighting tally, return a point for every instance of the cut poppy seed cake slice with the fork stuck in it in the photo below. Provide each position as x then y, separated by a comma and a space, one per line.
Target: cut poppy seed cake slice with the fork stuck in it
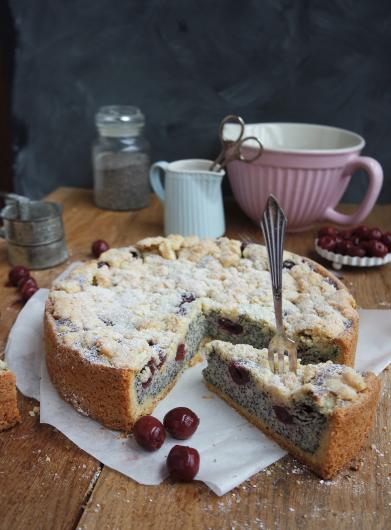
321, 415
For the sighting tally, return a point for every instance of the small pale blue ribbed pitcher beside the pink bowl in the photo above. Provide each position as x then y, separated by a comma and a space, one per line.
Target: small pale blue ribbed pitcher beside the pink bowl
192, 197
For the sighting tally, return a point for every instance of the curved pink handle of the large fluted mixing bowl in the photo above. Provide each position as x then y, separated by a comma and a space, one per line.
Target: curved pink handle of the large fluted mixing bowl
375, 177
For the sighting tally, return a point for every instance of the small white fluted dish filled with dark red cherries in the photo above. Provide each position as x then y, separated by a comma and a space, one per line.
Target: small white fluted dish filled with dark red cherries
357, 247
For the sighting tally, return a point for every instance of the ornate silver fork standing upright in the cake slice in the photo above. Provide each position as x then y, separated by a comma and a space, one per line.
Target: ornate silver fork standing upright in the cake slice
273, 224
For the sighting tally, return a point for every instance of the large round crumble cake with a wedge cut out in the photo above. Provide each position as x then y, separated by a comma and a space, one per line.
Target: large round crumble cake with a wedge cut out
120, 329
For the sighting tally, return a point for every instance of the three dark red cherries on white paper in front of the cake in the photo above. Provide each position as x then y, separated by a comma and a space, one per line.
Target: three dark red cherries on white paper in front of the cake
182, 462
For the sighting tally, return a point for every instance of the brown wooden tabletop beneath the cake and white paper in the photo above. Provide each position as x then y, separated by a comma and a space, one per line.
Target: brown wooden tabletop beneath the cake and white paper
46, 482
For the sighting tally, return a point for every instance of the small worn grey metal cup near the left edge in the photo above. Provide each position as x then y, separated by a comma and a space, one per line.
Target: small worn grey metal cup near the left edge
34, 232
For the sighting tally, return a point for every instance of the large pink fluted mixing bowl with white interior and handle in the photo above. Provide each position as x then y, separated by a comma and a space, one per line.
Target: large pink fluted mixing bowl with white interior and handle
307, 167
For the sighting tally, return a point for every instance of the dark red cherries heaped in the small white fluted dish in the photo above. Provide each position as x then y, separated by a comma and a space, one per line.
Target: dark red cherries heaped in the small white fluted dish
361, 241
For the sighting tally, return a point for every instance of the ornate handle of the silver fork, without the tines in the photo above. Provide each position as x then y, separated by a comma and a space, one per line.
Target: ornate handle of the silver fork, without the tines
273, 224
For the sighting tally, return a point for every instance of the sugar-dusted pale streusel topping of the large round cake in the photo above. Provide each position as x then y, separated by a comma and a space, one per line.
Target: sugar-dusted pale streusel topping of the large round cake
115, 309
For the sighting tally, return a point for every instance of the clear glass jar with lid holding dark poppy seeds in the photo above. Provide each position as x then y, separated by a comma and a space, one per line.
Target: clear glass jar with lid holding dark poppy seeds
121, 159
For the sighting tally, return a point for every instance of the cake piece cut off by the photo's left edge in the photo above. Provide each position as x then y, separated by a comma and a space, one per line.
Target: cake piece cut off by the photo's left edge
9, 413
